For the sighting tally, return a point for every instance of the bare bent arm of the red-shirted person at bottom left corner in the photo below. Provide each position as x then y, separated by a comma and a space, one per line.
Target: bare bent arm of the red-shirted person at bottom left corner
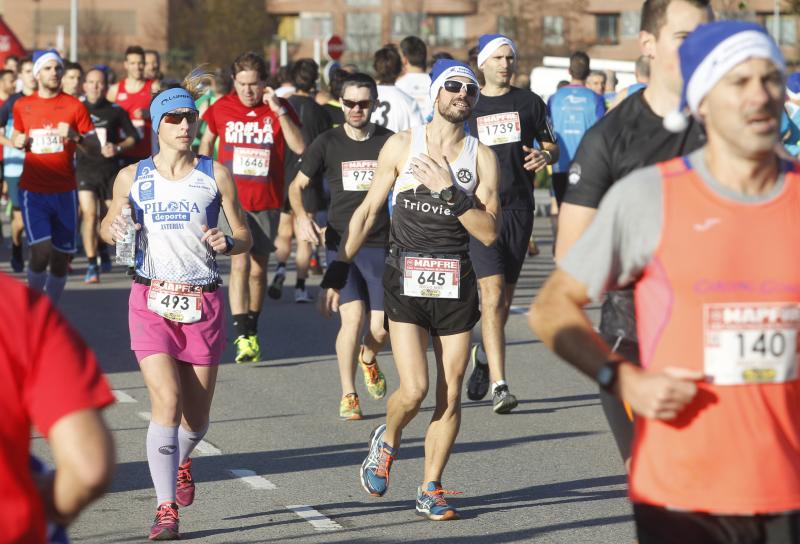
83, 451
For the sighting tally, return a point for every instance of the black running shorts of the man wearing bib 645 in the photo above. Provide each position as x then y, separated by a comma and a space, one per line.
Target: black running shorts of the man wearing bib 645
440, 317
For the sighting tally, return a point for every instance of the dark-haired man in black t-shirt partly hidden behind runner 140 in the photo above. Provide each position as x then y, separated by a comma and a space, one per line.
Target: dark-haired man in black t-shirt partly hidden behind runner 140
632, 135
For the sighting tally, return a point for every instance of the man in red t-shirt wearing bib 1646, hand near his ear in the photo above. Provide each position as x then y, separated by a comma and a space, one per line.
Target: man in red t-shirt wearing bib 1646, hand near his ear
254, 127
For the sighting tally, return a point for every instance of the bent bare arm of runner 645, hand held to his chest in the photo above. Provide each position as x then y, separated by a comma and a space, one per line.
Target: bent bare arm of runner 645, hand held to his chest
482, 220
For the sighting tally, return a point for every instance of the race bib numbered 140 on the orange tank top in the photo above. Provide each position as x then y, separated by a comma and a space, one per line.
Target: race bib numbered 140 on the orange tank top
748, 343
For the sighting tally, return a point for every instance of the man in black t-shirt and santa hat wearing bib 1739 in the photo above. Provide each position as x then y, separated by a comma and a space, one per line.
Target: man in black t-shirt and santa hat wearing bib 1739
507, 119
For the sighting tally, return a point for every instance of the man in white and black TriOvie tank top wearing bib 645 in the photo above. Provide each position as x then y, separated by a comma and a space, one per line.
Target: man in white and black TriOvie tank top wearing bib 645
430, 288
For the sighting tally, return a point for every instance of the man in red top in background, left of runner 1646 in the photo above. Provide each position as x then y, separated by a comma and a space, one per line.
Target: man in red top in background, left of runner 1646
133, 94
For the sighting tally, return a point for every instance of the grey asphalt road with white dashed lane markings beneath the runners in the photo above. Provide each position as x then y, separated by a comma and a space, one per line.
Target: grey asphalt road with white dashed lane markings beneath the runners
277, 465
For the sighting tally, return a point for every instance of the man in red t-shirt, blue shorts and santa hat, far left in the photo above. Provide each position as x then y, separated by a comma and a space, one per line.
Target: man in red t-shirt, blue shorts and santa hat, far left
50, 125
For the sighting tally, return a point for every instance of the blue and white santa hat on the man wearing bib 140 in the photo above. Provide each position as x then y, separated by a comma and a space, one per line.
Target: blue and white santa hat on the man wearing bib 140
710, 52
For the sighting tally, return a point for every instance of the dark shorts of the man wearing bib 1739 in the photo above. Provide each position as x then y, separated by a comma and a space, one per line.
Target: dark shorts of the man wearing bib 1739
507, 255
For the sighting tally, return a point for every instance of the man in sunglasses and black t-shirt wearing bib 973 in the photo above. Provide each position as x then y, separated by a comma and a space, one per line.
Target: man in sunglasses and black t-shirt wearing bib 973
347, 157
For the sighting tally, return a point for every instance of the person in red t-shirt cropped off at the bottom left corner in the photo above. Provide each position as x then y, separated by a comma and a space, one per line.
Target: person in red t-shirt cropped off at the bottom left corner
49, 379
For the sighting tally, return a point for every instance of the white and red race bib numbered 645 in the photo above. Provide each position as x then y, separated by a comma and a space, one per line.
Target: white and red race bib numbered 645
431, 278
